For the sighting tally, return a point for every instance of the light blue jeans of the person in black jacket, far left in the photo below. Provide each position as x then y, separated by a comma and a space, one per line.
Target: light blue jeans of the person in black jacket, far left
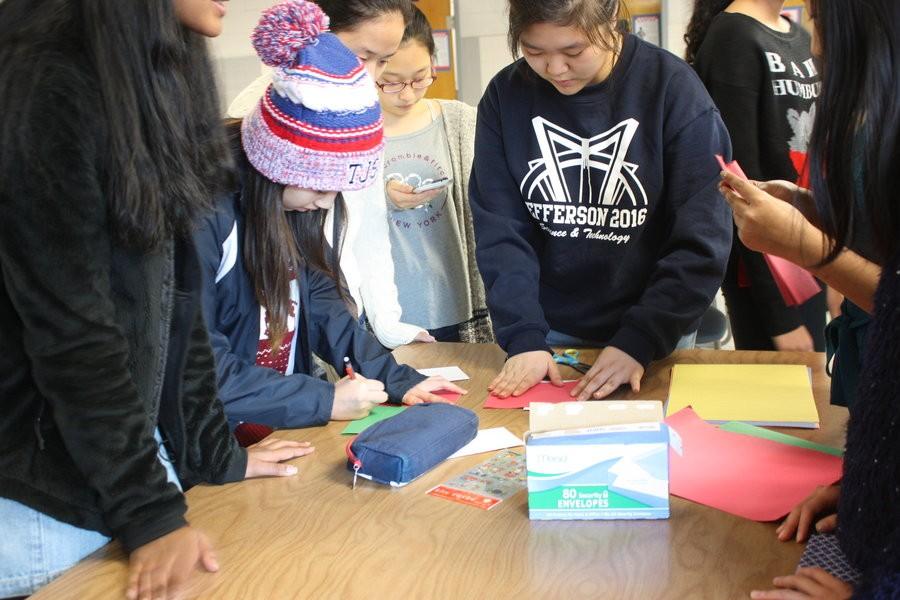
36, 548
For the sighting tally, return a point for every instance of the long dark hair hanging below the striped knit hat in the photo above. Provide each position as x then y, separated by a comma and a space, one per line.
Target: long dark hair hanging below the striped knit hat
277, 242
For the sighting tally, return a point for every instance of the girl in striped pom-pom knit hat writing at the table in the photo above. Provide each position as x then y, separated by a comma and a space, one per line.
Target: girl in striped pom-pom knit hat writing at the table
273, 292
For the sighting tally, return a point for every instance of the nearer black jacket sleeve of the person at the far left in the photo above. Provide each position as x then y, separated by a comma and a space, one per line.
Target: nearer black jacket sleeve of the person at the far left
56, 256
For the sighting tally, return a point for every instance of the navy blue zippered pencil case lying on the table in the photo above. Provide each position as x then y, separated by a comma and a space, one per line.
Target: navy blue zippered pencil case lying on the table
398, 450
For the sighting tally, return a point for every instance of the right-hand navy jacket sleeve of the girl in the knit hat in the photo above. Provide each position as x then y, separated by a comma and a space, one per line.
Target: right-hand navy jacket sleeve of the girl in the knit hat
335, 333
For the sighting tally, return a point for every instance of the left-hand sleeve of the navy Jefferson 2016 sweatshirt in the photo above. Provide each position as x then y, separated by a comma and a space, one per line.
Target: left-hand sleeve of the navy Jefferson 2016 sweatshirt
507, 239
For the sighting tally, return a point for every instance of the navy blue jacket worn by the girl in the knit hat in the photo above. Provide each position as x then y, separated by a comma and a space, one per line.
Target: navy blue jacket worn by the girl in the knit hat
324, 325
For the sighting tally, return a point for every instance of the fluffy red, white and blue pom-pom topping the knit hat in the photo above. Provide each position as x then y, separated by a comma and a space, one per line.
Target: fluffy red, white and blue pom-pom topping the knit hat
285, 29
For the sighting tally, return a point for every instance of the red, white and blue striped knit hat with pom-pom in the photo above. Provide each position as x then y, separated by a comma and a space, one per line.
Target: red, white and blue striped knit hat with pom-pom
319, 125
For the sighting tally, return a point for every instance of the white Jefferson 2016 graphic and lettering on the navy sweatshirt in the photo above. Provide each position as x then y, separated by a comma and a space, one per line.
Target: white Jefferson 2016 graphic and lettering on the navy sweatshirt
585, 182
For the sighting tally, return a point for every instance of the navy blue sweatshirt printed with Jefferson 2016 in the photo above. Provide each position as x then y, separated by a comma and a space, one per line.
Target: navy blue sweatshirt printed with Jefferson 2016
598, 214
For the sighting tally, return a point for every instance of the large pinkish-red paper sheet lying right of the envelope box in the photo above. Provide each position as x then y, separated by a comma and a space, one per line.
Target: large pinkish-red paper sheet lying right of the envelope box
746, 476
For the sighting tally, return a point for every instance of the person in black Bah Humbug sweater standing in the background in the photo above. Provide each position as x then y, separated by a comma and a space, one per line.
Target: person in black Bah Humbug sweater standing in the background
760, 72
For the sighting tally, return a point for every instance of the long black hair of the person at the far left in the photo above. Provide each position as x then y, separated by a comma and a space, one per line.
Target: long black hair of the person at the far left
162, 152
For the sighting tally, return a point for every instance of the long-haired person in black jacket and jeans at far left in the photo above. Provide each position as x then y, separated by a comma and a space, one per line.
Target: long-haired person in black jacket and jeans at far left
110, 143
